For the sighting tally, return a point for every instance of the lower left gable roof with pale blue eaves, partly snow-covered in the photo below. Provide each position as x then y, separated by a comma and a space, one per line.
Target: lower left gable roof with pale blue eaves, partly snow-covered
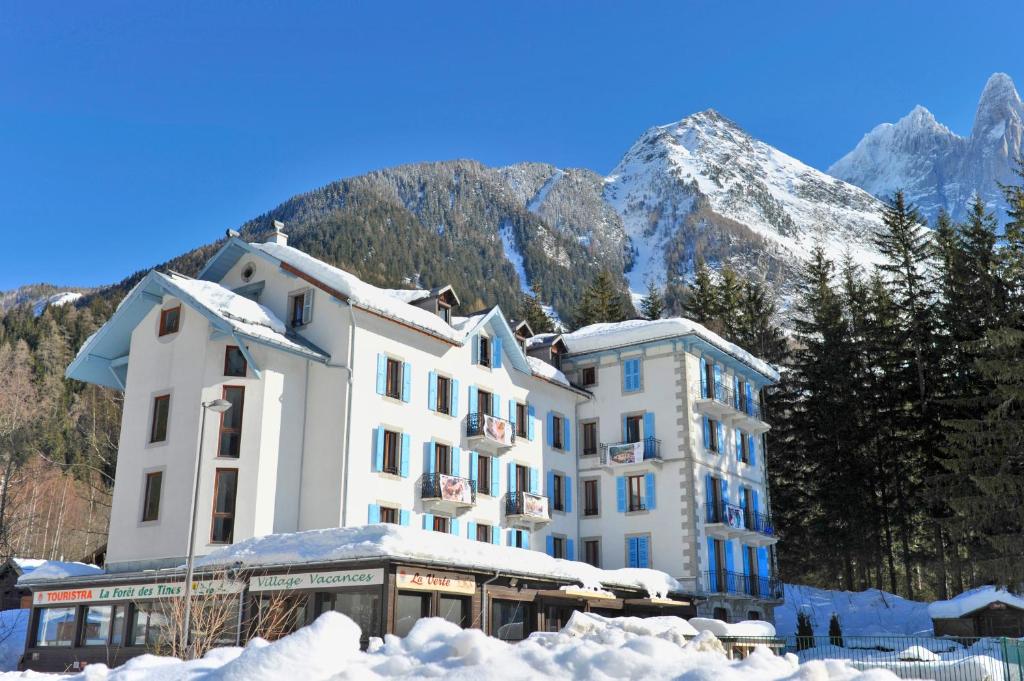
104, 358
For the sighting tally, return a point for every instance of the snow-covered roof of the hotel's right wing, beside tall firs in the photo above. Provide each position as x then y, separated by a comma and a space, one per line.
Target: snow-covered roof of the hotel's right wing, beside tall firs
606, 336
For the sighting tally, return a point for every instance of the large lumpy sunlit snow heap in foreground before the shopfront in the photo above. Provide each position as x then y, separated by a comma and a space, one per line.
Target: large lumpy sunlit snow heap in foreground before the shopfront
590, 649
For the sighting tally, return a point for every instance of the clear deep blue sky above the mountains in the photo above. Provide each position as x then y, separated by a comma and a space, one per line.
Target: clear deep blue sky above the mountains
132, 132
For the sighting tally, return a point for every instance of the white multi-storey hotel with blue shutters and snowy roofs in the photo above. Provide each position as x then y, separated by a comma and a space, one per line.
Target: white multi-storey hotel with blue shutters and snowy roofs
636, 445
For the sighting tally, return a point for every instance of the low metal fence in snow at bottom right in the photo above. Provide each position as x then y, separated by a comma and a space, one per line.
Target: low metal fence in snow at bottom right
944, 659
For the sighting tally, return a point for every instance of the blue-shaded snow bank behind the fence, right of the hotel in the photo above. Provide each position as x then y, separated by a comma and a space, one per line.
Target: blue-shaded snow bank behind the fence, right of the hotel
871, 613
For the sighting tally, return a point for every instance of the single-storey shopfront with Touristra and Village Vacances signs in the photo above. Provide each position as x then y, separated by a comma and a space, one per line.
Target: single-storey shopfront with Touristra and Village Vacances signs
112, 618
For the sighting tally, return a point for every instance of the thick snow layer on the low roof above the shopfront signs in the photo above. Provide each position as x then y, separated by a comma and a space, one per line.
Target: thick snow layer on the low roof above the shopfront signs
398, 542
